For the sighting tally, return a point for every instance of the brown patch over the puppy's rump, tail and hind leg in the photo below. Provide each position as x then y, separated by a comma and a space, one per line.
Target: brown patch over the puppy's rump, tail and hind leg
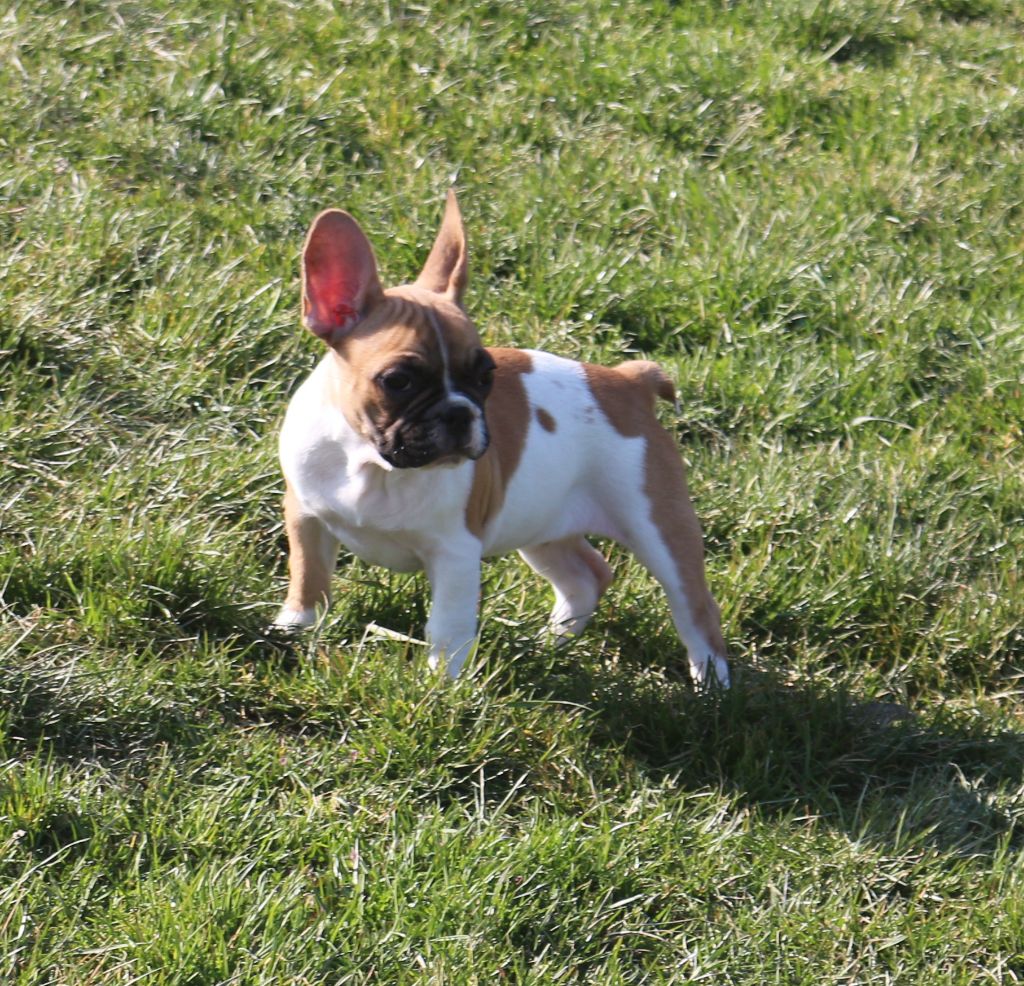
627, 395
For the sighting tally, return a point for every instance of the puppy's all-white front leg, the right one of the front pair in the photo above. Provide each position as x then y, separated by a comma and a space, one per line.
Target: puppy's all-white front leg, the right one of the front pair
454, 572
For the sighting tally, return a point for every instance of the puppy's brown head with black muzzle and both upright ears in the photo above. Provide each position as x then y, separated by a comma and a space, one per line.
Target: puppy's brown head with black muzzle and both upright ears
416, 375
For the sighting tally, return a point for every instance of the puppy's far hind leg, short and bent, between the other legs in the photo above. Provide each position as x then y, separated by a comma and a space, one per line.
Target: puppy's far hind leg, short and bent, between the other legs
579, 576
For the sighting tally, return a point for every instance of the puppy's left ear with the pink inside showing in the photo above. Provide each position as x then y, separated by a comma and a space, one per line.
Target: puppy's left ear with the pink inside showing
339, 276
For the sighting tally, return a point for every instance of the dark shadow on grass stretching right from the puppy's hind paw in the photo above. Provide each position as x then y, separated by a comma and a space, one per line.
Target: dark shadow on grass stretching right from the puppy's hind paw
810, 749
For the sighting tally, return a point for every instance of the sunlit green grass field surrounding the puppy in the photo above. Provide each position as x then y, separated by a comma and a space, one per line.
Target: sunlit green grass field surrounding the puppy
809, 211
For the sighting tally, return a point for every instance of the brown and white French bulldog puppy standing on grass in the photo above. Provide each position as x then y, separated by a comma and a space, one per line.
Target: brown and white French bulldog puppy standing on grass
417, 448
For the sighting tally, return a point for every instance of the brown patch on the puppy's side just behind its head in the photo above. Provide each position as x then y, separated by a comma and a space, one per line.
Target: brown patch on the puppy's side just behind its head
507, 414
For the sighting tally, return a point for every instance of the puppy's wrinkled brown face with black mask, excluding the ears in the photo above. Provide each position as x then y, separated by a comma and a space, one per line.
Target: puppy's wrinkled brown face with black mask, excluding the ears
418, 379
